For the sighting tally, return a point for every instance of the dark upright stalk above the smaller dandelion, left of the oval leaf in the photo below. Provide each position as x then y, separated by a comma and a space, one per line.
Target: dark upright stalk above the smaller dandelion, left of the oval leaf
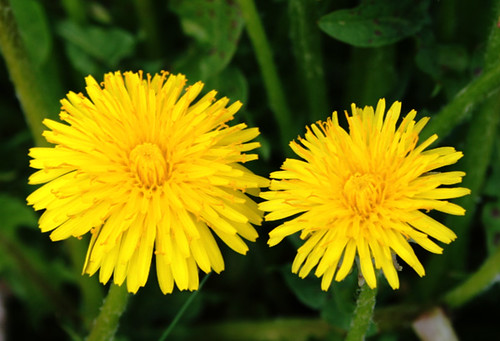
305, 38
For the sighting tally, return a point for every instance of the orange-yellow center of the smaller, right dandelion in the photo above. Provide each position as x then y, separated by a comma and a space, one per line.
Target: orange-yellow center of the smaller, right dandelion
363, 193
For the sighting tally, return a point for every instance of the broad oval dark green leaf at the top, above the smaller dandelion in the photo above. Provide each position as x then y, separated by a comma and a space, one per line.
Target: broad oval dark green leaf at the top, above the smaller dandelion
376, 23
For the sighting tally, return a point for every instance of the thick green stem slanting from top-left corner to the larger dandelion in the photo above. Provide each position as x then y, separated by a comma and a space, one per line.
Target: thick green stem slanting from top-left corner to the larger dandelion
22, 73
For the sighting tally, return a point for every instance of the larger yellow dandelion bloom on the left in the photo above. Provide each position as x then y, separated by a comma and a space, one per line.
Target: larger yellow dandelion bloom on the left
147, 170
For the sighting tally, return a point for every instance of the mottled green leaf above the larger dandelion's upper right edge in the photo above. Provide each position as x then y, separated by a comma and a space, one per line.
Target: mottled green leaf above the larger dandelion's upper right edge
216, 27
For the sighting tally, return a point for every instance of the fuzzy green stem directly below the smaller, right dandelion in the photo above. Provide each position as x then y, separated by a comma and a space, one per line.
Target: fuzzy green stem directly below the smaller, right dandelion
363, 314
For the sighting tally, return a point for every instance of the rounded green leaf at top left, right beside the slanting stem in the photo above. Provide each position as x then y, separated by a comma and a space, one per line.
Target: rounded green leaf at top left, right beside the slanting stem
34, 29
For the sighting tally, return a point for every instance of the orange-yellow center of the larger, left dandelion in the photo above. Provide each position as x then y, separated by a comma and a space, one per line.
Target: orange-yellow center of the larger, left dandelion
148, 164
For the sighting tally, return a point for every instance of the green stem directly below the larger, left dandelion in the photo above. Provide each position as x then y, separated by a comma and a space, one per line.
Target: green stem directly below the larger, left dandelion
106, 323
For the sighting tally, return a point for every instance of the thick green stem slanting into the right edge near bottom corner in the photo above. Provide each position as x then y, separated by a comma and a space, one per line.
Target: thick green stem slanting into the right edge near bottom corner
475, 284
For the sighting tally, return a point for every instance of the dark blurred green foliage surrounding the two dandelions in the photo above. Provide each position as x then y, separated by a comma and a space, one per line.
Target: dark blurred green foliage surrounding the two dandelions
441, 58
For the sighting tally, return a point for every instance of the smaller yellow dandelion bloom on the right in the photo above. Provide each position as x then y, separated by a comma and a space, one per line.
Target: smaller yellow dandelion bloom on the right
361, 194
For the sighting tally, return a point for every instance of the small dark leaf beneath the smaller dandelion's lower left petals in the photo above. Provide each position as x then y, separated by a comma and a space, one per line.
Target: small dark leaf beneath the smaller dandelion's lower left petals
308, 290
